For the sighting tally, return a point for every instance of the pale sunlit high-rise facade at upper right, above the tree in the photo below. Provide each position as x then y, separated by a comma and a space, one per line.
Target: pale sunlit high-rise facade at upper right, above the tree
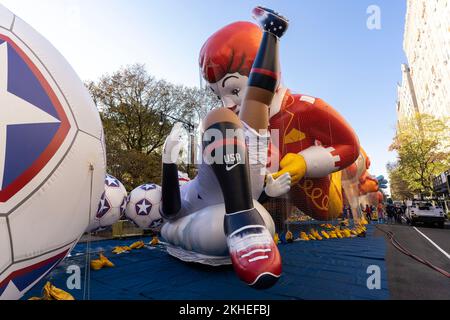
427, 47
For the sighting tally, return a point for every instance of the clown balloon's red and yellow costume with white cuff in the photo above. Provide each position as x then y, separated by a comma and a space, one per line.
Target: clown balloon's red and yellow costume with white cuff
313, 130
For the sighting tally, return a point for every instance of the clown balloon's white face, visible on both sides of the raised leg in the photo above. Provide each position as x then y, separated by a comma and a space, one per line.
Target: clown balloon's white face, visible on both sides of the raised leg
231, 90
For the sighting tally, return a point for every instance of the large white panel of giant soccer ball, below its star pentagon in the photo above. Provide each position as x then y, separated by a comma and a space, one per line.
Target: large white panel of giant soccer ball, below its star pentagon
58, 213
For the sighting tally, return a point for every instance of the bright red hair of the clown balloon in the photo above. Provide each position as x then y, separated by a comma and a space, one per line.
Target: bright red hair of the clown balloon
231, 49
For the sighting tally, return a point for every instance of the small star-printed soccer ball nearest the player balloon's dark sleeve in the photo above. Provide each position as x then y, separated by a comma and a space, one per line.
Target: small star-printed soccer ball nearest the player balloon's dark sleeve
143, 206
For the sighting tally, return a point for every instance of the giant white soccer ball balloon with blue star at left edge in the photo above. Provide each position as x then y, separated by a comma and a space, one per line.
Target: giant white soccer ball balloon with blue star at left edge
52, 161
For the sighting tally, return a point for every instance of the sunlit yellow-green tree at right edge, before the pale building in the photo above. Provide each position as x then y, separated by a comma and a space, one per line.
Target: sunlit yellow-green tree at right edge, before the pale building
423, 147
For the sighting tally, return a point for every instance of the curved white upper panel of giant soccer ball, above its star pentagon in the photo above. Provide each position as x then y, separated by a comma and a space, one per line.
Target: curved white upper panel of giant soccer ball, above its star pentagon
81, 103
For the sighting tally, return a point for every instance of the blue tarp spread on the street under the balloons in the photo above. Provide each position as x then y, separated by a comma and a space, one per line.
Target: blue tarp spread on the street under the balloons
329, 269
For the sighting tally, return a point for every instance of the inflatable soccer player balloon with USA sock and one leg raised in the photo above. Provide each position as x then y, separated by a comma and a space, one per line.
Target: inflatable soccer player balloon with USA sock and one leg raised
216, 218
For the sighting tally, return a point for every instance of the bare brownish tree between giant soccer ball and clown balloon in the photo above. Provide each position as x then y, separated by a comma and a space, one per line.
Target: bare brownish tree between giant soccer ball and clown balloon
138, 112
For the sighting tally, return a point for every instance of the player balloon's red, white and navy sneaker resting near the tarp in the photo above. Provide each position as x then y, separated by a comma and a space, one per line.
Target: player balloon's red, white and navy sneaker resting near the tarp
255, 256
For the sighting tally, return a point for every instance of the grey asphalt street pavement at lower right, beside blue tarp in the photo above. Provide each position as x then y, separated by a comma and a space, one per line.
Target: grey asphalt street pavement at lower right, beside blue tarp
409, 279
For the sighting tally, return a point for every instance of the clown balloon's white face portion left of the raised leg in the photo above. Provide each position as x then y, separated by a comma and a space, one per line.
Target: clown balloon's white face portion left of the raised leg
230, 90
